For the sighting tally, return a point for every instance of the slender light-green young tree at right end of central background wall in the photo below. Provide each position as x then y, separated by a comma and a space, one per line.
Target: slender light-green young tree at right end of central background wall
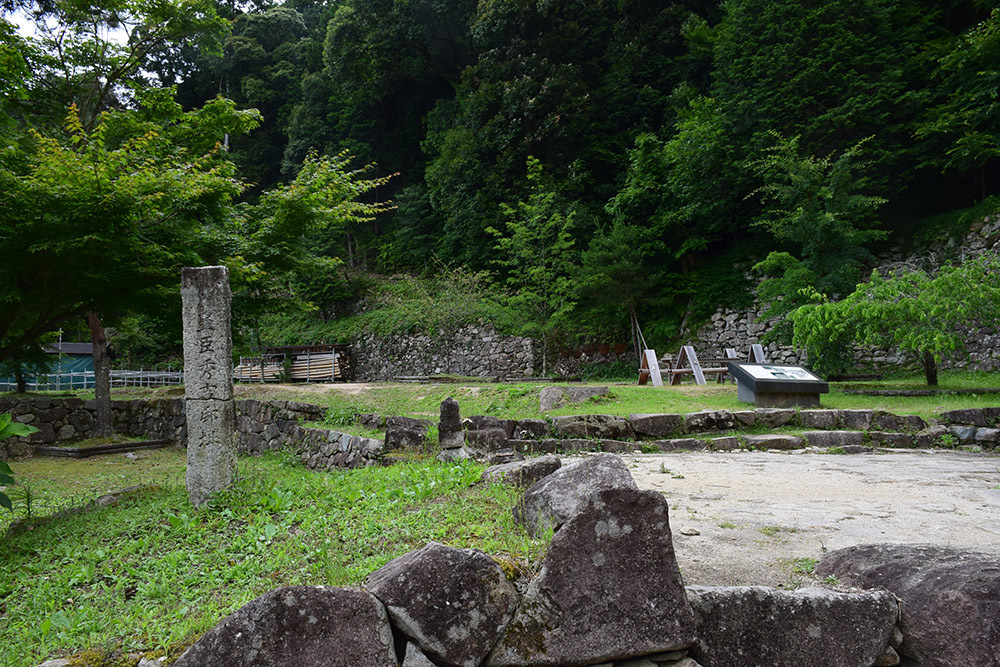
536, 249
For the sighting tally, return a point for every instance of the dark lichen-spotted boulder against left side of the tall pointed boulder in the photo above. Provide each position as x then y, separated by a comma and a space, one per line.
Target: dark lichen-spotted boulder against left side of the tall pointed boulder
451, 603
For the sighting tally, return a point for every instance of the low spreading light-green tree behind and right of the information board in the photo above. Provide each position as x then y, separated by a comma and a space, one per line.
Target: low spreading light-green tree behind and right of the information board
912, 310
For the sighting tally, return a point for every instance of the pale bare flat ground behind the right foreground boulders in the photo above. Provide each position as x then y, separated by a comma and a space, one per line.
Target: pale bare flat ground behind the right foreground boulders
756, 512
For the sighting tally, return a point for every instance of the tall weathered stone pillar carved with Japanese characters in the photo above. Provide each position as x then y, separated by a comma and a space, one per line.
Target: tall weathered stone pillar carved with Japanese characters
208, 381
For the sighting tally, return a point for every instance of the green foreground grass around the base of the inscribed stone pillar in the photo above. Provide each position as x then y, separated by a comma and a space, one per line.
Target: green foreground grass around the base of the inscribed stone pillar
152, 572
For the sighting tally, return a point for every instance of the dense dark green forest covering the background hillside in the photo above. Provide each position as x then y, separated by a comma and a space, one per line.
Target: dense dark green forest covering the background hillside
569, 165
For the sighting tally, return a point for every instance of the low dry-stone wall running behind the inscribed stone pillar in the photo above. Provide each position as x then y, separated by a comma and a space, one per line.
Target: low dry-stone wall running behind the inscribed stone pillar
260, 425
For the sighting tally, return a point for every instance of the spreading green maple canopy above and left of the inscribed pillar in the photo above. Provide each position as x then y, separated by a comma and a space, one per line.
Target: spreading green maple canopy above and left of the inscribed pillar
104, 222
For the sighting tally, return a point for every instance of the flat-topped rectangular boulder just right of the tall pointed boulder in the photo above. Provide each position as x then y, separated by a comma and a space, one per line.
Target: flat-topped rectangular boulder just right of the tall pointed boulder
753, 626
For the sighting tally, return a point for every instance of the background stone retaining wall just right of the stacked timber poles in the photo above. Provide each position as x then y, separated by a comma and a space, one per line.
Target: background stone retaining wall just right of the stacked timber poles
475, 351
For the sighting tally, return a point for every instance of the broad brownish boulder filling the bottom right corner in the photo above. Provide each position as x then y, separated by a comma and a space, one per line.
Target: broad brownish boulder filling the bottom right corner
950, 598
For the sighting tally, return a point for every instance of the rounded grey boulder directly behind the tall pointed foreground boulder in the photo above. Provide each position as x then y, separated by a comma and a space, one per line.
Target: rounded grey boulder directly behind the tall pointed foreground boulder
553, 500
